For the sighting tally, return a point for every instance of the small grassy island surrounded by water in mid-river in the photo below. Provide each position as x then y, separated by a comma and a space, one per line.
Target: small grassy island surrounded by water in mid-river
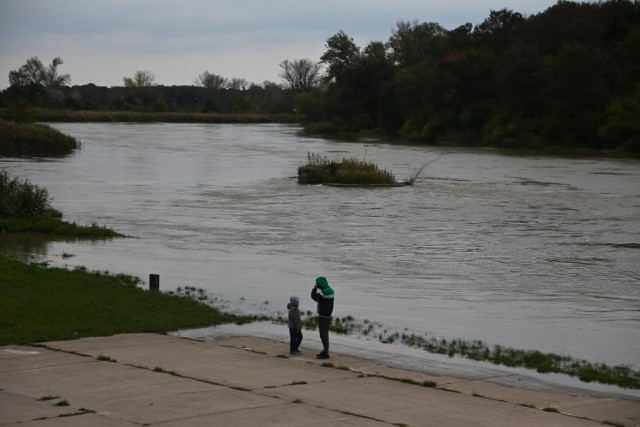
346, 173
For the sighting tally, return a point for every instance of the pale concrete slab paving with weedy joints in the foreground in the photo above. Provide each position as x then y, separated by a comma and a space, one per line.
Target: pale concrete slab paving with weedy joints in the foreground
149, 379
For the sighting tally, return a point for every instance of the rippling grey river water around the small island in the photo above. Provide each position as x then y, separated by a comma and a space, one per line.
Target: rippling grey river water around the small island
528, 252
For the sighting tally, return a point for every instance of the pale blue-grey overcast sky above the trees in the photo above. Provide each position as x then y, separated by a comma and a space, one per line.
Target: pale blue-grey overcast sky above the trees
101, 41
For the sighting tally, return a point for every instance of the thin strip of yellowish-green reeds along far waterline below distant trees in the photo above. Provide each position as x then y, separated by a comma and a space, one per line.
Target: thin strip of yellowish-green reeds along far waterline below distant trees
42, 115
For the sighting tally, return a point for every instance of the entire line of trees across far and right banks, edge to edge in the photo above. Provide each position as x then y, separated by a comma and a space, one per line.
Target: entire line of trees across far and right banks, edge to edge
568, 76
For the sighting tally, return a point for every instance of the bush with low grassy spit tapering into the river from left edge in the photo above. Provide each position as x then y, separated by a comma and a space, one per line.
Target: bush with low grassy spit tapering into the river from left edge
25, 207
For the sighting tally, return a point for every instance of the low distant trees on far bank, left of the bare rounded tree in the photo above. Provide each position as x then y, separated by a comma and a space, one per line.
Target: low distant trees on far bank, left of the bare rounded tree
36, 85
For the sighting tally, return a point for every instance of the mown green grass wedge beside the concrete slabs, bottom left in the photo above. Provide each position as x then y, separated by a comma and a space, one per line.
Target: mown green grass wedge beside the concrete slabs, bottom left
45, 304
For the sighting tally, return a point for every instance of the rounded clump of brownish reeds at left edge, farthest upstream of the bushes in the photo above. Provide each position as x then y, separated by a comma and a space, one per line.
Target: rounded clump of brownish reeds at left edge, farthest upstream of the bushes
34, 140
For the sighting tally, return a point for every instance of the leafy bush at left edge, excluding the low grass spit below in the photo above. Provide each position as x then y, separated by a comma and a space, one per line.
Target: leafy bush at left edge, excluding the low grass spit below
21, 199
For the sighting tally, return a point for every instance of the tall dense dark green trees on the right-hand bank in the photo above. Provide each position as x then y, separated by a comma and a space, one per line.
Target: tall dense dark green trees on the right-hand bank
567, 77
